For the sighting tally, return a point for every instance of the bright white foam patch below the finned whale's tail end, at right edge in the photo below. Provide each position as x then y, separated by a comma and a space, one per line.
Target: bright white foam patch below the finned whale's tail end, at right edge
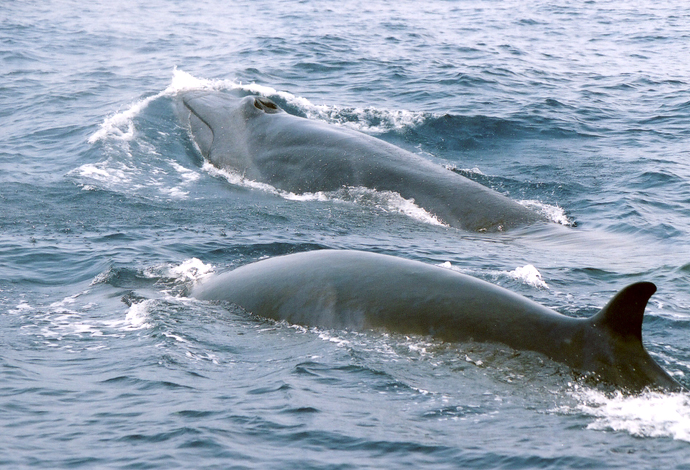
651, 414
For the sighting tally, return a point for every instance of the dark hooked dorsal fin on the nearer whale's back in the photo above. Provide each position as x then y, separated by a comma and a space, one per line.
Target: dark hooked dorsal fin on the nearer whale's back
624, 312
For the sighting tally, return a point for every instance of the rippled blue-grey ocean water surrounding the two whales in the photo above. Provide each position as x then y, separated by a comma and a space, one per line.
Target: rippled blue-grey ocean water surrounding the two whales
109, 215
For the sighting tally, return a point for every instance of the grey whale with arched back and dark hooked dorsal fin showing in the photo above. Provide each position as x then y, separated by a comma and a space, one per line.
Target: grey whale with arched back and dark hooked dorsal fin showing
360, 291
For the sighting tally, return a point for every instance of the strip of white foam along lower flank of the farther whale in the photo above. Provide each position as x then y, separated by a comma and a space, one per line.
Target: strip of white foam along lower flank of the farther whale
387, 201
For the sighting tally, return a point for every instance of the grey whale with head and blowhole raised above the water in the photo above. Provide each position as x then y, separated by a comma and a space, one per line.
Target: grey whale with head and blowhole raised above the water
253, 137
